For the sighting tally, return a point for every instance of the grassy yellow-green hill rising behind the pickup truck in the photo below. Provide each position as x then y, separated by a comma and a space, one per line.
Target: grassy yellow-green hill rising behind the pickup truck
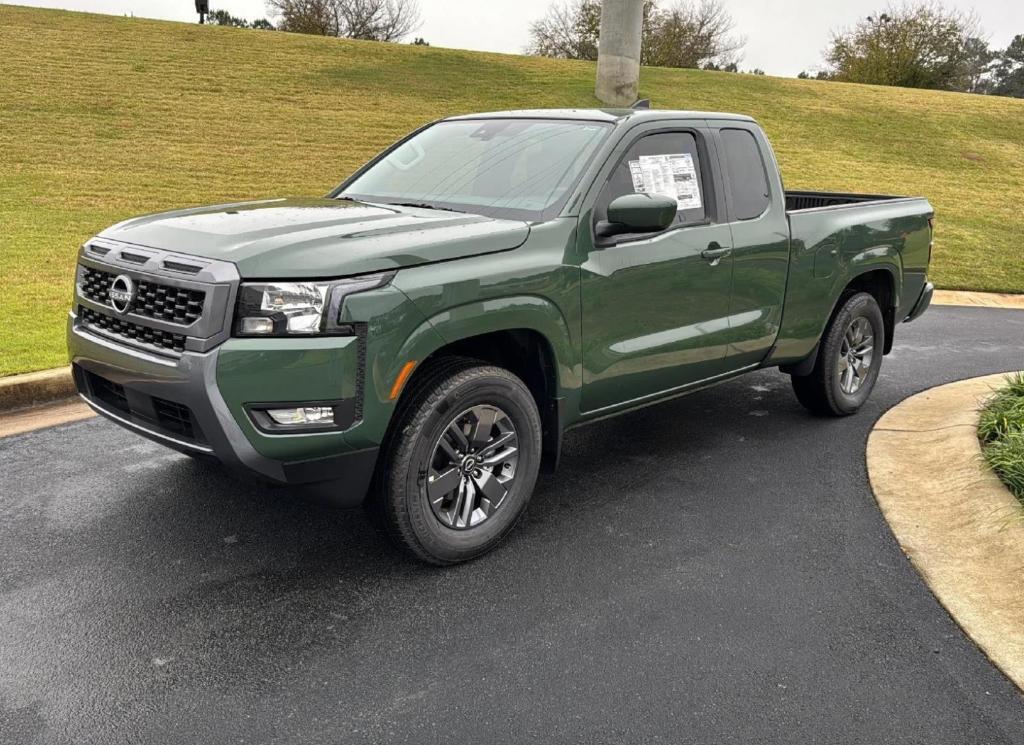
103, 118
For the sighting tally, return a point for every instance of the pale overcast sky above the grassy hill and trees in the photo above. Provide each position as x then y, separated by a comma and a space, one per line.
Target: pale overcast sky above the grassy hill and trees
783, 36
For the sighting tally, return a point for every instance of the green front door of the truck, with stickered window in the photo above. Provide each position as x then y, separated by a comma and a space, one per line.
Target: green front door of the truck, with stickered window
656, 306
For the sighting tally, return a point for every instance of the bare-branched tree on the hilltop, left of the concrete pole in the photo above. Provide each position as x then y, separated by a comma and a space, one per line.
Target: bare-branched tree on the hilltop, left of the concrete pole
370, 20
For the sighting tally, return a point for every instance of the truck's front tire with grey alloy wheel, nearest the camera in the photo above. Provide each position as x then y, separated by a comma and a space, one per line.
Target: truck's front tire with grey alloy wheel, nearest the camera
424, 455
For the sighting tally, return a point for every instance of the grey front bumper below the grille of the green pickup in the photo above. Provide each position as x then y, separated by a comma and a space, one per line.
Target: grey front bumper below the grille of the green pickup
179, 403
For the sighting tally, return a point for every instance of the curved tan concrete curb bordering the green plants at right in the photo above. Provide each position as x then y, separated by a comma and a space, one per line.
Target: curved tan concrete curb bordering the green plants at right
953, 517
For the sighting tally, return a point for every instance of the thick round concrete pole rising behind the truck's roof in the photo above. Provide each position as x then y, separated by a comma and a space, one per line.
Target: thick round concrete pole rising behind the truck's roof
619, 53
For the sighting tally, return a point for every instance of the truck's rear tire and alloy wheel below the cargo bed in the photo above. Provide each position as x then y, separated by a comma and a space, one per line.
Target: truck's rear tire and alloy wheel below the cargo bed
842, 380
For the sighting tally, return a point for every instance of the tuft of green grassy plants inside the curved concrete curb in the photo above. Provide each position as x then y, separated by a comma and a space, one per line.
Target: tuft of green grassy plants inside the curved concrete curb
1002, 434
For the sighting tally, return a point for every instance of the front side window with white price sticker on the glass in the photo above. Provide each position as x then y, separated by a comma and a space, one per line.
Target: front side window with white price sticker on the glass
668, 164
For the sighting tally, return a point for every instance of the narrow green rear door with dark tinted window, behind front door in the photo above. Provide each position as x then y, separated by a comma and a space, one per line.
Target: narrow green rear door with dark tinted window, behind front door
756, 208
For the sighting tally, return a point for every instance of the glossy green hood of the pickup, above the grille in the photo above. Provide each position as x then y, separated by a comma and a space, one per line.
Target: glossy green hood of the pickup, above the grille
284, 239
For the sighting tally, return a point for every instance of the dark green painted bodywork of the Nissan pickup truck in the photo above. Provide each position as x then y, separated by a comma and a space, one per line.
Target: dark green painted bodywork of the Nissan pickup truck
628, 321
